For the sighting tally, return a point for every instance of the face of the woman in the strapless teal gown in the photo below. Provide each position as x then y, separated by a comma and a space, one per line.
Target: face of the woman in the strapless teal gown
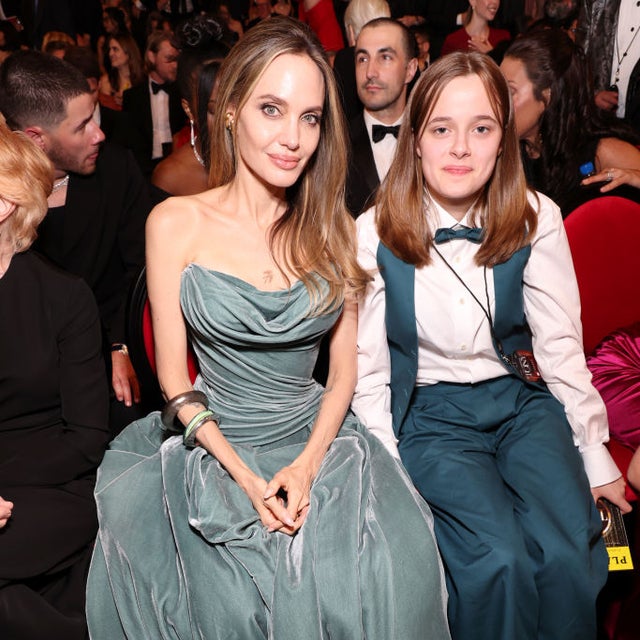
278, 129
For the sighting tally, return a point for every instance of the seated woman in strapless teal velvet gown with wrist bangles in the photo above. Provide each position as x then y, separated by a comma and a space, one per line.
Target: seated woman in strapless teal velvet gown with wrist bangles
287, 519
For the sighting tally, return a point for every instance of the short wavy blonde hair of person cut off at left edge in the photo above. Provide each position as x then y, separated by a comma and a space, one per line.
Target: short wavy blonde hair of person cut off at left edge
26, 179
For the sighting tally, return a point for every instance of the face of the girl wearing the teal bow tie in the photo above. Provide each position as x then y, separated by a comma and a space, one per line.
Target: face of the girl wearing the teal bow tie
460, 144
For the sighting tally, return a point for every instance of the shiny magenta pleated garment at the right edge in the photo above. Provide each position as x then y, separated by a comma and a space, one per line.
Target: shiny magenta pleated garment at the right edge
615, 366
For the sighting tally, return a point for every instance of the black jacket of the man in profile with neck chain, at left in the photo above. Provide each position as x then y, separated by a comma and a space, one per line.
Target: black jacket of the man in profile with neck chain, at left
99, 233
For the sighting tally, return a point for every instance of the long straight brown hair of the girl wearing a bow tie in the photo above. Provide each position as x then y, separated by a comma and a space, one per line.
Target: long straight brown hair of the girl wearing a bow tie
505, 213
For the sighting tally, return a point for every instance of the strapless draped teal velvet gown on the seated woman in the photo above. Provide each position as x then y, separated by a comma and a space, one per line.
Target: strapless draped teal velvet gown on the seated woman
181, 552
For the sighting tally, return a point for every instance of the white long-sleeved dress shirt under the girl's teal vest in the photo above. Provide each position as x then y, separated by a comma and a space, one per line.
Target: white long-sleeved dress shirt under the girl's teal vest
454, 340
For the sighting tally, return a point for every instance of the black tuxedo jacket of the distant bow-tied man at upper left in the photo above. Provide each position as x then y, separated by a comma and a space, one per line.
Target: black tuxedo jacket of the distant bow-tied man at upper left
136, 103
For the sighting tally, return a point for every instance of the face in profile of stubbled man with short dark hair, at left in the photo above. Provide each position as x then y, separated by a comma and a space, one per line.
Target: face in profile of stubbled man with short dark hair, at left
75, 143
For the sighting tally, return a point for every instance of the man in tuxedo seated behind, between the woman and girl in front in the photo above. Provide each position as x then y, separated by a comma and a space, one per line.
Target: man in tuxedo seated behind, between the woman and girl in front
386, 63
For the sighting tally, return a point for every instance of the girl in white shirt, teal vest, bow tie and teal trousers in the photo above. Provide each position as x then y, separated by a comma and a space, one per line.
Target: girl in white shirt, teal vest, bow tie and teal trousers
473, 276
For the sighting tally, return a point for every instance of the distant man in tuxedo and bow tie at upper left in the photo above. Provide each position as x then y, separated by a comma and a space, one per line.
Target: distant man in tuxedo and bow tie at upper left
153, 107
